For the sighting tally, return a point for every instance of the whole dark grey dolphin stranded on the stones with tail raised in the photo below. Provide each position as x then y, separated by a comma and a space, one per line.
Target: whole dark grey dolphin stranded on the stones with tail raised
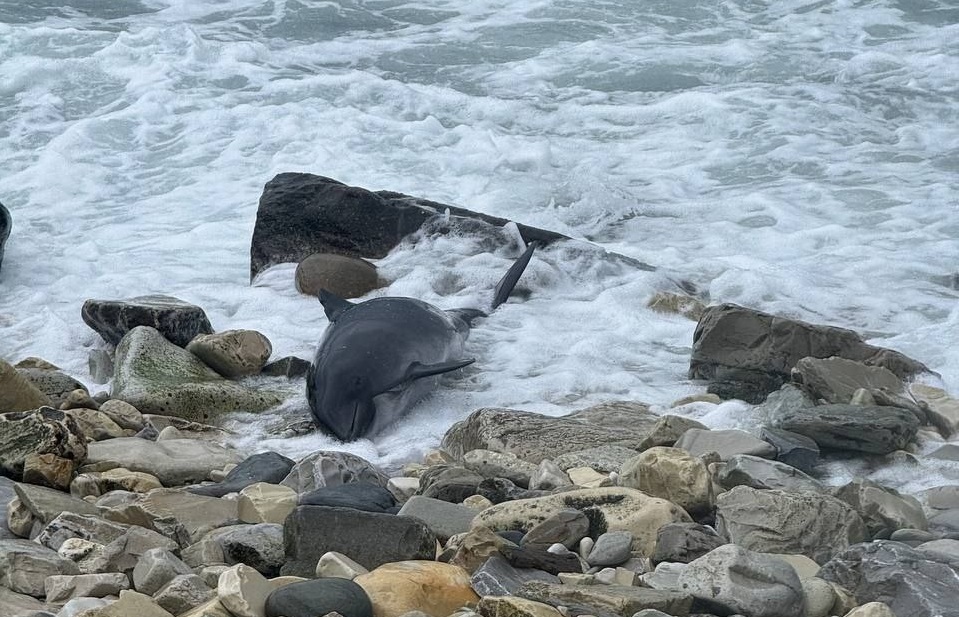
378, 358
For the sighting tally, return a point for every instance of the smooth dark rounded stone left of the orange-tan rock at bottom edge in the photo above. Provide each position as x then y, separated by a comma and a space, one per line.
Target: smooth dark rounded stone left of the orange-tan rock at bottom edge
319, 597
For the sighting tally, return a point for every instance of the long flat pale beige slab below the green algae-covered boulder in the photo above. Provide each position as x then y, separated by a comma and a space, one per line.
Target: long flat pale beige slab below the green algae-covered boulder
174, 461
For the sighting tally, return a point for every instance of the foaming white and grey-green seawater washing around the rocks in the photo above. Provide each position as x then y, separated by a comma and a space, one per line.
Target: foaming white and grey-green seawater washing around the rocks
796, 157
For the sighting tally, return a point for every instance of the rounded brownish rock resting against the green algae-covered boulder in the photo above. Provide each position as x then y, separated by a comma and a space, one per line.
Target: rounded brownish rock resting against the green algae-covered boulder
232, 353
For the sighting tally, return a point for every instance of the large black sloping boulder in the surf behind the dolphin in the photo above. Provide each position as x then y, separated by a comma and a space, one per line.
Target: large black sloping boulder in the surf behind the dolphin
302, 214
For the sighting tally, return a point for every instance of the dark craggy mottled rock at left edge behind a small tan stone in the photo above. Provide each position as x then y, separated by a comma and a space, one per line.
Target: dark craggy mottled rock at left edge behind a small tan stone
44, 431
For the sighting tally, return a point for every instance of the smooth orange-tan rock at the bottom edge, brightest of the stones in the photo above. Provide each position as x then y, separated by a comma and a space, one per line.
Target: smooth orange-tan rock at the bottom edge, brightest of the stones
432, 587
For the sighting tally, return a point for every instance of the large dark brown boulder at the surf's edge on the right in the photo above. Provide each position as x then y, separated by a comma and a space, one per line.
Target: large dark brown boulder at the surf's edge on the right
748, 354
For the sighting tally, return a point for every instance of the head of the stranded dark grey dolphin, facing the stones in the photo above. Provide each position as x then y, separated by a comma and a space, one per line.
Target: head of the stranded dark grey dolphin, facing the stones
341, 404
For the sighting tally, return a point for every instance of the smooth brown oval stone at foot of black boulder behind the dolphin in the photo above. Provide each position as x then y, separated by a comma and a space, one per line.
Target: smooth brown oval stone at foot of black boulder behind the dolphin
347, 277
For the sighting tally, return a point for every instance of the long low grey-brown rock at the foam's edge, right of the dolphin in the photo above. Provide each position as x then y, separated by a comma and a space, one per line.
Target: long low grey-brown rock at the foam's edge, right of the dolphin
533, 437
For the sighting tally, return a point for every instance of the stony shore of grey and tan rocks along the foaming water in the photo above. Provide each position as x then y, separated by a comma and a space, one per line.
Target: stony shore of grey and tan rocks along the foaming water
132, 502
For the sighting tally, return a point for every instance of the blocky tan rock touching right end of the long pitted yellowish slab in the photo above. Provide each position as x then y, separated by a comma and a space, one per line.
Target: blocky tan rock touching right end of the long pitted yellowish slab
670, 473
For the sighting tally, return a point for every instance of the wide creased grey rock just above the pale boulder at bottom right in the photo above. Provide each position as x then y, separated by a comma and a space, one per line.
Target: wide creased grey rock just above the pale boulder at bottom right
772, 521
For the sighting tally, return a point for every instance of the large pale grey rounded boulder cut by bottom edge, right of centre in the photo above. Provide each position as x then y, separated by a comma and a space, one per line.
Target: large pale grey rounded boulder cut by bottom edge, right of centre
731, 579
